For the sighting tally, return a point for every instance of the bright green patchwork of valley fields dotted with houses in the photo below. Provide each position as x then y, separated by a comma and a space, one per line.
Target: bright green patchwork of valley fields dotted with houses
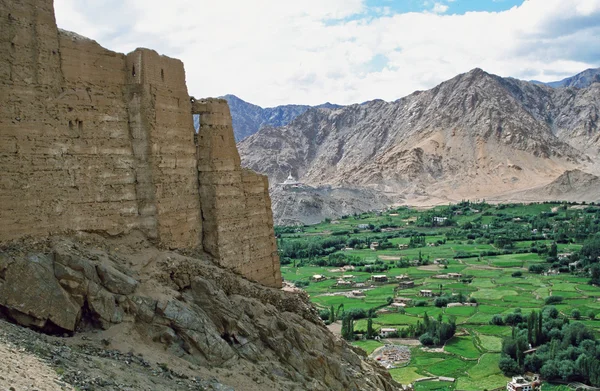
498, 279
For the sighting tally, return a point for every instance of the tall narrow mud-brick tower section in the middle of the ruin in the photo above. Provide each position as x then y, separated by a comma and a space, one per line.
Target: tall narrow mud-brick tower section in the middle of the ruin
162, 132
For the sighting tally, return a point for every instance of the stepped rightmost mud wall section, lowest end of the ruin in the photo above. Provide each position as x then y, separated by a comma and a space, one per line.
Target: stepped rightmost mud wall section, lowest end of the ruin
236, 208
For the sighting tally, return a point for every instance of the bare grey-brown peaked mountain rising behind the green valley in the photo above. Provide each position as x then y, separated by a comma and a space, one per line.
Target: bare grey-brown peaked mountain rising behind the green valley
476, 135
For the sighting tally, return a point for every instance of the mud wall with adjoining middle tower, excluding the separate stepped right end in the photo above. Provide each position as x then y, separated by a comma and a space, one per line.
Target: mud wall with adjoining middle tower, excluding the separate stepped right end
84, 141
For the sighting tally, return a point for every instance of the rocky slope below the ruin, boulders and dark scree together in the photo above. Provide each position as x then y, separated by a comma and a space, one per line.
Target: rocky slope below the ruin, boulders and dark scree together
135, 317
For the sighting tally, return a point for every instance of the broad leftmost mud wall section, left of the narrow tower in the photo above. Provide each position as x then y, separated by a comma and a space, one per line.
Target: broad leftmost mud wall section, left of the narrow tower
64, 144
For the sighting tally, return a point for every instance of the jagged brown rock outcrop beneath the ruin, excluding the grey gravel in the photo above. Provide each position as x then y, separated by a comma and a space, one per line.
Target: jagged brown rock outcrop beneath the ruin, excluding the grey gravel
194, 310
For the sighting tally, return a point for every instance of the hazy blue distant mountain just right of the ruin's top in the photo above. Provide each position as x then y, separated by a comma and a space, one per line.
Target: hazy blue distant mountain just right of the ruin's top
249, 118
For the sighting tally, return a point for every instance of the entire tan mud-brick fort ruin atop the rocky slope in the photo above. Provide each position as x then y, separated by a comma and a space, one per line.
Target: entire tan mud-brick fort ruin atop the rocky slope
93, 140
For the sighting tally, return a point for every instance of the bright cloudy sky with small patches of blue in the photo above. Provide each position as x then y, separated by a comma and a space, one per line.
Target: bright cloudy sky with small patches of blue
273, 52
